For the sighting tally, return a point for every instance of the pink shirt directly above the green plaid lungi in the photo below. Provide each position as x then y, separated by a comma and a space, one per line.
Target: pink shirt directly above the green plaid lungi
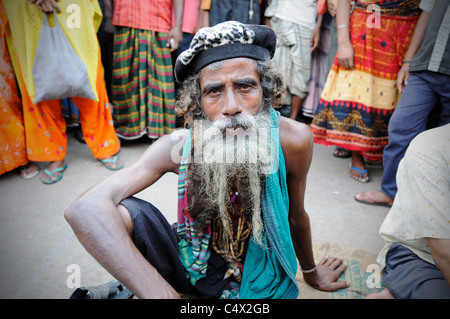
154, 15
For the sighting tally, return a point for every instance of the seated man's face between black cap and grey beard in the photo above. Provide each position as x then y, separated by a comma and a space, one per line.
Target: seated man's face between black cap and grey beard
234, 89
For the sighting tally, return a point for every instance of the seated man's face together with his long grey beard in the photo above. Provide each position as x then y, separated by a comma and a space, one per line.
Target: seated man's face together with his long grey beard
232, 145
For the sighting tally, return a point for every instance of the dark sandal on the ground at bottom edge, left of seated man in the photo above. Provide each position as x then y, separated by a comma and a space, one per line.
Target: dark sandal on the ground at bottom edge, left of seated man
111, 290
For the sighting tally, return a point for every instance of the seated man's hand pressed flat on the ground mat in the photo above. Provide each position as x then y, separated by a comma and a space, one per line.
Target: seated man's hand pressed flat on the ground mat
327, 272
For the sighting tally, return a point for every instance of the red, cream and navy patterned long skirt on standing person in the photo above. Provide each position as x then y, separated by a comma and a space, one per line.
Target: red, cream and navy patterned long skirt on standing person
356, 105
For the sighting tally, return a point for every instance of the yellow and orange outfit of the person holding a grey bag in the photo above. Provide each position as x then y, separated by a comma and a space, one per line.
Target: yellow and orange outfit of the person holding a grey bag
45, 127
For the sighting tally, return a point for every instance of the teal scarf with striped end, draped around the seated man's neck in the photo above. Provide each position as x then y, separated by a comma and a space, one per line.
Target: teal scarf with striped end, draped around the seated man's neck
268, 273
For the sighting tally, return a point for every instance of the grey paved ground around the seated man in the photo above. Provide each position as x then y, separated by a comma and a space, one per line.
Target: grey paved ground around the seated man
38, 249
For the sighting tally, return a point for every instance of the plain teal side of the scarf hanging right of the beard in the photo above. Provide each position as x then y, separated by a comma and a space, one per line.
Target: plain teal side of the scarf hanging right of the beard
270, 273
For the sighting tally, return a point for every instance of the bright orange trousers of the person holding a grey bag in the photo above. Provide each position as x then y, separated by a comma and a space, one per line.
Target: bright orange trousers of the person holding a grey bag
45, 127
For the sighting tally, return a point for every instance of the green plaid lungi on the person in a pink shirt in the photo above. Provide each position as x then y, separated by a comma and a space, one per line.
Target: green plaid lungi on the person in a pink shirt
143, 90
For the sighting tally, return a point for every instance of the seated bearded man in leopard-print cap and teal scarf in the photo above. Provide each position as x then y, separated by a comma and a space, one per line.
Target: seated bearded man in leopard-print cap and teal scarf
242, 170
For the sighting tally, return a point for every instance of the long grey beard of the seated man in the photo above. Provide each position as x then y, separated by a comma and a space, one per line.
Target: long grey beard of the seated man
224, 161
